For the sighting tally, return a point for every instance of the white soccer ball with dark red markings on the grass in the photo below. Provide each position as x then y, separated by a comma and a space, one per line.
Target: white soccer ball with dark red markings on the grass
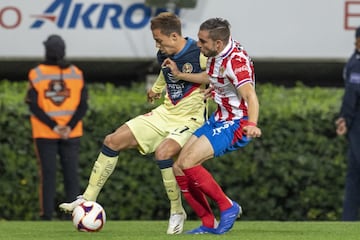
89, 216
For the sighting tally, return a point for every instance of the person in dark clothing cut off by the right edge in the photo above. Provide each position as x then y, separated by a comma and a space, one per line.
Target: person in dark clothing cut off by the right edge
349, 123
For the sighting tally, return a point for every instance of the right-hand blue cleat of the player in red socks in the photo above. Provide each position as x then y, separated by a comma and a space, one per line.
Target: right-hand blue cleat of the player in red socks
228, 218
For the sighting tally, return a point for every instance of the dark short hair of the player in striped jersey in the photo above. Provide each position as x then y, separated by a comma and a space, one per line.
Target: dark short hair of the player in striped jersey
218, 28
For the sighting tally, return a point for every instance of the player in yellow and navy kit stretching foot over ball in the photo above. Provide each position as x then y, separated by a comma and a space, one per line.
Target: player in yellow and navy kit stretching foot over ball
166, 128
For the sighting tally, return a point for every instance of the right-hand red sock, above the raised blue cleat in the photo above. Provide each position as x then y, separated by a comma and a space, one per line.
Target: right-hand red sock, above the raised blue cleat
201, 178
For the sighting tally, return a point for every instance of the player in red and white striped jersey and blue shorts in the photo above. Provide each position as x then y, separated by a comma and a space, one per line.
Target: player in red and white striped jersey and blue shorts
230, 73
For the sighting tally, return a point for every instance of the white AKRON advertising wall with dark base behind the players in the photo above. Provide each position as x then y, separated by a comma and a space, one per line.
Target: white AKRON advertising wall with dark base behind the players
290, 41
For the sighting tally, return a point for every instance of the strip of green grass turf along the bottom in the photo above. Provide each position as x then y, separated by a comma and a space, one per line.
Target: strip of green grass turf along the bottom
135, 230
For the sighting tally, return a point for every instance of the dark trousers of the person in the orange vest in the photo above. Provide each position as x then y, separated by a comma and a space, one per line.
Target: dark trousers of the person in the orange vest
47, 151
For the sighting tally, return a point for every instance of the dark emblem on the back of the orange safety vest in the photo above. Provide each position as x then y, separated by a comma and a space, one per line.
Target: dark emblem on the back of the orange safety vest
57, 92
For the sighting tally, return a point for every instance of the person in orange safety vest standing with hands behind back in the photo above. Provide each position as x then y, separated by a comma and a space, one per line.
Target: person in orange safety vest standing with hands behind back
57, 98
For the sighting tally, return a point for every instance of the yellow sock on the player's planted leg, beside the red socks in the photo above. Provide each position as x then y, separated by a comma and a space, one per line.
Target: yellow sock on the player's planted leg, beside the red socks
172, 190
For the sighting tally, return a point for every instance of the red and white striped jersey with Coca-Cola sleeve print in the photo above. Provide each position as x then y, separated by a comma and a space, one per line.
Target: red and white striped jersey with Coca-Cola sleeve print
228, 71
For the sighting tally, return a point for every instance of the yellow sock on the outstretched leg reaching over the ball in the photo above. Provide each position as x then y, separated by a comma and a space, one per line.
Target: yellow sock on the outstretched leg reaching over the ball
101, 171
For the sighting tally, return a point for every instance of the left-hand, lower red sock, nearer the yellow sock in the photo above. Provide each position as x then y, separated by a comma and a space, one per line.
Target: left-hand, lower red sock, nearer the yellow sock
197, 201
